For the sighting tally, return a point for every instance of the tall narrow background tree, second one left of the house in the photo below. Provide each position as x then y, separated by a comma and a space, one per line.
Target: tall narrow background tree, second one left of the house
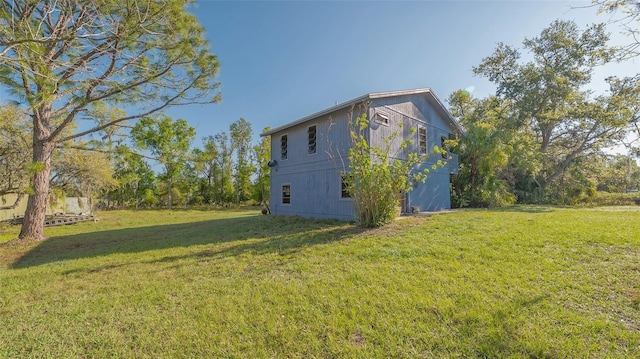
241, 133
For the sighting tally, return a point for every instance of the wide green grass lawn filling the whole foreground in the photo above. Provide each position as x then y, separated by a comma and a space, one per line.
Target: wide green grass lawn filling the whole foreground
528, 282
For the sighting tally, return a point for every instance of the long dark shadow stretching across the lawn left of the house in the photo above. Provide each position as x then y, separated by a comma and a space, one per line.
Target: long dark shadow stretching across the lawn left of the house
278, 234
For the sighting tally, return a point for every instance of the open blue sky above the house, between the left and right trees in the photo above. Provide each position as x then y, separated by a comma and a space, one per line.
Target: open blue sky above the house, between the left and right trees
281, 61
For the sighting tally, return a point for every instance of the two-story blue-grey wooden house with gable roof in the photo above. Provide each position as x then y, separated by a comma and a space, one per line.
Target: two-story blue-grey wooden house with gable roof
309, 155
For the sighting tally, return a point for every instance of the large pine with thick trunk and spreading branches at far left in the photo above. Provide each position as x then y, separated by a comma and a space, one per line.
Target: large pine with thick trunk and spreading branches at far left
59, 57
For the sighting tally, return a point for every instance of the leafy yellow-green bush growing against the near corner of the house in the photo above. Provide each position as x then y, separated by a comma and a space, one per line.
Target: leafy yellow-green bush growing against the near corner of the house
376, 180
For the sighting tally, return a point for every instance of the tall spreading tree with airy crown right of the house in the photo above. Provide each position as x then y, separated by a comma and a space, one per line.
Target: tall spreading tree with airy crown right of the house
547, 97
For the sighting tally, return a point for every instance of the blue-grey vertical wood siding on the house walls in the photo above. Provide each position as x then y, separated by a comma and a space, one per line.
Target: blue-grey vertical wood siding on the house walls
315, 179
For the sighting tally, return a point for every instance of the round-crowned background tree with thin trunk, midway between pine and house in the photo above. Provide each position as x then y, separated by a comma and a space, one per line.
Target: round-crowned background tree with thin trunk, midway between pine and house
168, 141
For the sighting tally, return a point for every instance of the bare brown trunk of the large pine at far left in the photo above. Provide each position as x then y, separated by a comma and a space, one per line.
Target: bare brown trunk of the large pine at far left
33, 224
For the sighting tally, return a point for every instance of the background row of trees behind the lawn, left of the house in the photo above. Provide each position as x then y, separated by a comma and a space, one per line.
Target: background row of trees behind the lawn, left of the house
153, 164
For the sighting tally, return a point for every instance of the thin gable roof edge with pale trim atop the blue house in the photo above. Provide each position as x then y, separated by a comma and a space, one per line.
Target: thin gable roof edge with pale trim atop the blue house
434, 100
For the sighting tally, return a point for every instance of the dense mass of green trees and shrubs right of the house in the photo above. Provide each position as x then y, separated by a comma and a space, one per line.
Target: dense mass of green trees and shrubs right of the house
532, 141
